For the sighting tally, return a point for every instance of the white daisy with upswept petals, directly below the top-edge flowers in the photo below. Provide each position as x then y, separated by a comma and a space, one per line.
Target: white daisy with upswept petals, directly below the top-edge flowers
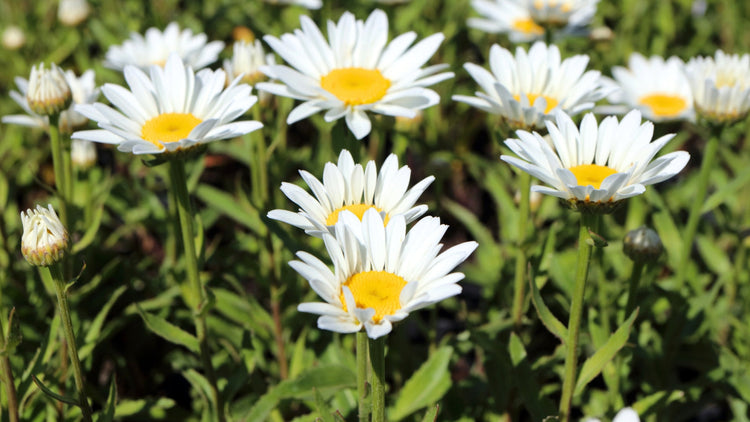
527, 89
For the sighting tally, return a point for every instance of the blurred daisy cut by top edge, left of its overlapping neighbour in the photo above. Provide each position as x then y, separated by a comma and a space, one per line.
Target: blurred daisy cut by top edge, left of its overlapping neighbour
506, 17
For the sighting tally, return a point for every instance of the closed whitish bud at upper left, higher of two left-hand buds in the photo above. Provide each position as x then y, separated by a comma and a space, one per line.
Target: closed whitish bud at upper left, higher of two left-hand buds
48, 92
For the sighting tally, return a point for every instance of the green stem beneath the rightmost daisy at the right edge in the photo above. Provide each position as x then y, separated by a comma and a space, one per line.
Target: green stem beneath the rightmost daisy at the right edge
709, 161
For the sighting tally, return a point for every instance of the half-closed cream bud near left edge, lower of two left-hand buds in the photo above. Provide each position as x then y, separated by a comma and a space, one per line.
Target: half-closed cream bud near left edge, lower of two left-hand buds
44, 239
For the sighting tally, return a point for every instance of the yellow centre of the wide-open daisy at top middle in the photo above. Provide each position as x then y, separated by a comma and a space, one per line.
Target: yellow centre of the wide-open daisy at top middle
355, 85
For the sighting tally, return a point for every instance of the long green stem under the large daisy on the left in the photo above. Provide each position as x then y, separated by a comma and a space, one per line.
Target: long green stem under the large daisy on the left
197, 298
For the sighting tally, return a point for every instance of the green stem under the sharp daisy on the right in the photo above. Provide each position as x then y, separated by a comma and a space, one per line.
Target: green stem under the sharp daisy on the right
576, 311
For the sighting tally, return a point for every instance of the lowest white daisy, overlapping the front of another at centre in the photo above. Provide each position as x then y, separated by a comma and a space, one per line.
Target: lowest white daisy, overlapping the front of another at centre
381, 272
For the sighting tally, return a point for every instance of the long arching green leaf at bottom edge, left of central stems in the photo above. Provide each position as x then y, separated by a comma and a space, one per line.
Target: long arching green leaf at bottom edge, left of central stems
326, 379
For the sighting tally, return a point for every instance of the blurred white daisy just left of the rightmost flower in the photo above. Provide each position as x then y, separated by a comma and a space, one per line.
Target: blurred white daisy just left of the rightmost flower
657, 87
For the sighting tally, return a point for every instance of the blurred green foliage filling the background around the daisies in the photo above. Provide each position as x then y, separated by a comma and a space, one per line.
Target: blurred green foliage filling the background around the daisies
688, 358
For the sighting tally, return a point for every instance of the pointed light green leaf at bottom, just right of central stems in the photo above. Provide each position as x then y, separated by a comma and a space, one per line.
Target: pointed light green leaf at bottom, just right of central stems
428, 385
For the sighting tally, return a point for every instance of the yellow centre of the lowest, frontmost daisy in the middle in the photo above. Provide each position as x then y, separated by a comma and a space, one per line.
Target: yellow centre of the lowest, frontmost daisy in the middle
379, 290
